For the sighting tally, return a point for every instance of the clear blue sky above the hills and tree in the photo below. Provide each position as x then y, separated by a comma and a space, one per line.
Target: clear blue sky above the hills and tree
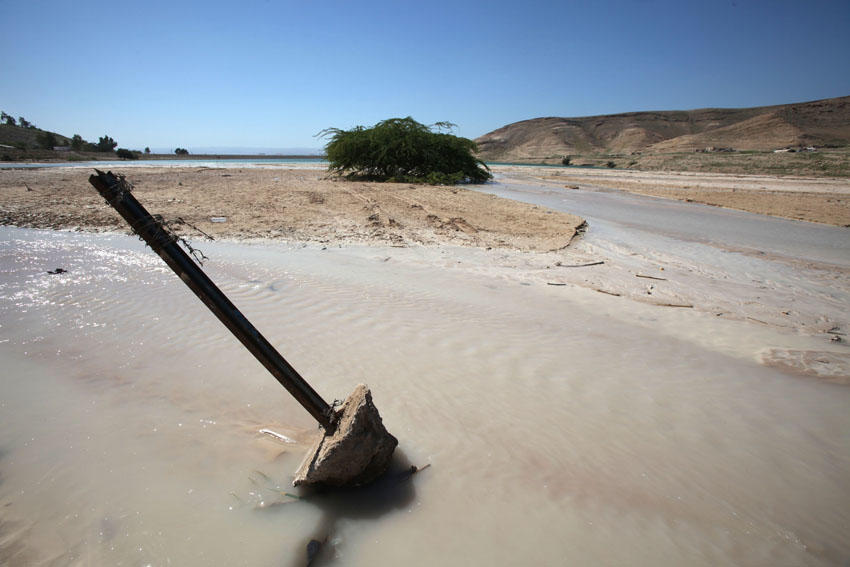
273, 73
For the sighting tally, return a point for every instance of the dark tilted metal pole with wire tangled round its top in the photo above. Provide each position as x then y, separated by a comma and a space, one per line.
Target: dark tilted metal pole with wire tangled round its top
116, 191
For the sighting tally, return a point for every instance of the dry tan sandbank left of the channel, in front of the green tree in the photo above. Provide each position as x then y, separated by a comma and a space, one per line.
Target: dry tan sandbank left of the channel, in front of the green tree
285, 203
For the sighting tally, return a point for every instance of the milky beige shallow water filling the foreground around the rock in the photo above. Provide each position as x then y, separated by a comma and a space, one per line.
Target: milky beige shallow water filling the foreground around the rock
559, 429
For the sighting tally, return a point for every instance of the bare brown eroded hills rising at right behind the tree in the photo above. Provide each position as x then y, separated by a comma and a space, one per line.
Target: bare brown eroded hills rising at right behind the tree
820, 122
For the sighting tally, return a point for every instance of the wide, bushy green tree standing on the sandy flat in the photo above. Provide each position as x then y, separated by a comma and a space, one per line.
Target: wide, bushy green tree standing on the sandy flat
402, 149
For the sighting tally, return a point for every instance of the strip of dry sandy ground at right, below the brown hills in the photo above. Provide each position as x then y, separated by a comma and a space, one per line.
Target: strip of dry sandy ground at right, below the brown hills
822, 200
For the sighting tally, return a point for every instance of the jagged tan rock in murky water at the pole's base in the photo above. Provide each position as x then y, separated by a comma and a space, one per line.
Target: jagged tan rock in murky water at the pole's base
356, 453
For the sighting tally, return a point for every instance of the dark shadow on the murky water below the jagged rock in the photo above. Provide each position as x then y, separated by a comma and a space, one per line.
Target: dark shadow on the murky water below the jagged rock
391, 492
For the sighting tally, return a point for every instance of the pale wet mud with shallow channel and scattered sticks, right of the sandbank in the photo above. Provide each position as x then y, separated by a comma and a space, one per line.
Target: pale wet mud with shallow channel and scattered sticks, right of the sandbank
773, 272
